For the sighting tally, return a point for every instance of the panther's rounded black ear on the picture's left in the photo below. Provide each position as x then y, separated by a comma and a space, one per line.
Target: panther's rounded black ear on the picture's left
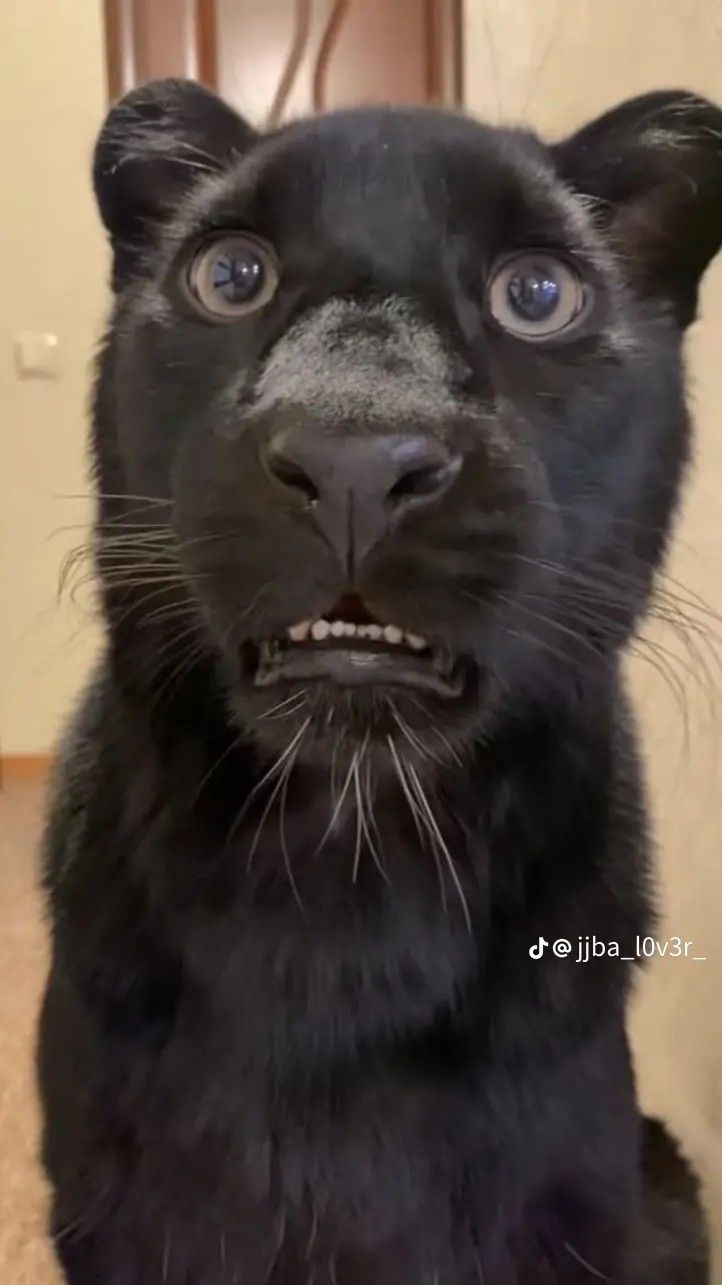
156, 145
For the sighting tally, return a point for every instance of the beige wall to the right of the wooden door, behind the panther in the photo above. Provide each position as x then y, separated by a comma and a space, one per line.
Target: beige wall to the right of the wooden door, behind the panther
554, 64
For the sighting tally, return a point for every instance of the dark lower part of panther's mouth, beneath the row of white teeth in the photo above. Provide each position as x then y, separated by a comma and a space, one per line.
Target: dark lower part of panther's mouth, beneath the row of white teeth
360, 668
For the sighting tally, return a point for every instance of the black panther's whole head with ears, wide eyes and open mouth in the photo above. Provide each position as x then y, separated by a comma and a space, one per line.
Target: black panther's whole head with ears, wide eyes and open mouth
404, 393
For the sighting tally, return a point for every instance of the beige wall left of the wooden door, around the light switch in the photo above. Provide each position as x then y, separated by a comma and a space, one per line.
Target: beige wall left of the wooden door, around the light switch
52, 269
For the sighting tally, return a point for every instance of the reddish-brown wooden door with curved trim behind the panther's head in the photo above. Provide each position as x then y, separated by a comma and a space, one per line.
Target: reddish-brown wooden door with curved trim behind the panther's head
276, 60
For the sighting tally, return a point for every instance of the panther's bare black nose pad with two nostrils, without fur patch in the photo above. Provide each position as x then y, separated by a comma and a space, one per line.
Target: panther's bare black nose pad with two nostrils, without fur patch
358, 486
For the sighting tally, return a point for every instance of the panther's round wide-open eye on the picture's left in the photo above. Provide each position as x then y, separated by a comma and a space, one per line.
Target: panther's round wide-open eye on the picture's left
232, 277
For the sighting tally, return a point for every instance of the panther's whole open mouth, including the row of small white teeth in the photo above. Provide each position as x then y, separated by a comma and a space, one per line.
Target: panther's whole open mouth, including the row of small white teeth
349, 647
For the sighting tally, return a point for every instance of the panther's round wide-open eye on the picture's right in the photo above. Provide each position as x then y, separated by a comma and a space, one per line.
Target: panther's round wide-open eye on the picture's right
538, 296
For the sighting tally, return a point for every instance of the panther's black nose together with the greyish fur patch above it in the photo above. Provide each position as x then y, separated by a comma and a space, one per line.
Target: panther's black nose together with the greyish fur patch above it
354, 395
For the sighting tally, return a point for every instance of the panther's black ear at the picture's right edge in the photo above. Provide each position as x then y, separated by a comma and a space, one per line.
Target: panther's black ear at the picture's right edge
655, 165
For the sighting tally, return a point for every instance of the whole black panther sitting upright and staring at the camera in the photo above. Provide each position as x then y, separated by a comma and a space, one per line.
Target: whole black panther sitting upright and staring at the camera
389, 436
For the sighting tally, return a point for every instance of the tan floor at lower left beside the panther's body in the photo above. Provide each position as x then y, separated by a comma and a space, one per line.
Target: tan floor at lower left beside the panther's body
25, 1255
